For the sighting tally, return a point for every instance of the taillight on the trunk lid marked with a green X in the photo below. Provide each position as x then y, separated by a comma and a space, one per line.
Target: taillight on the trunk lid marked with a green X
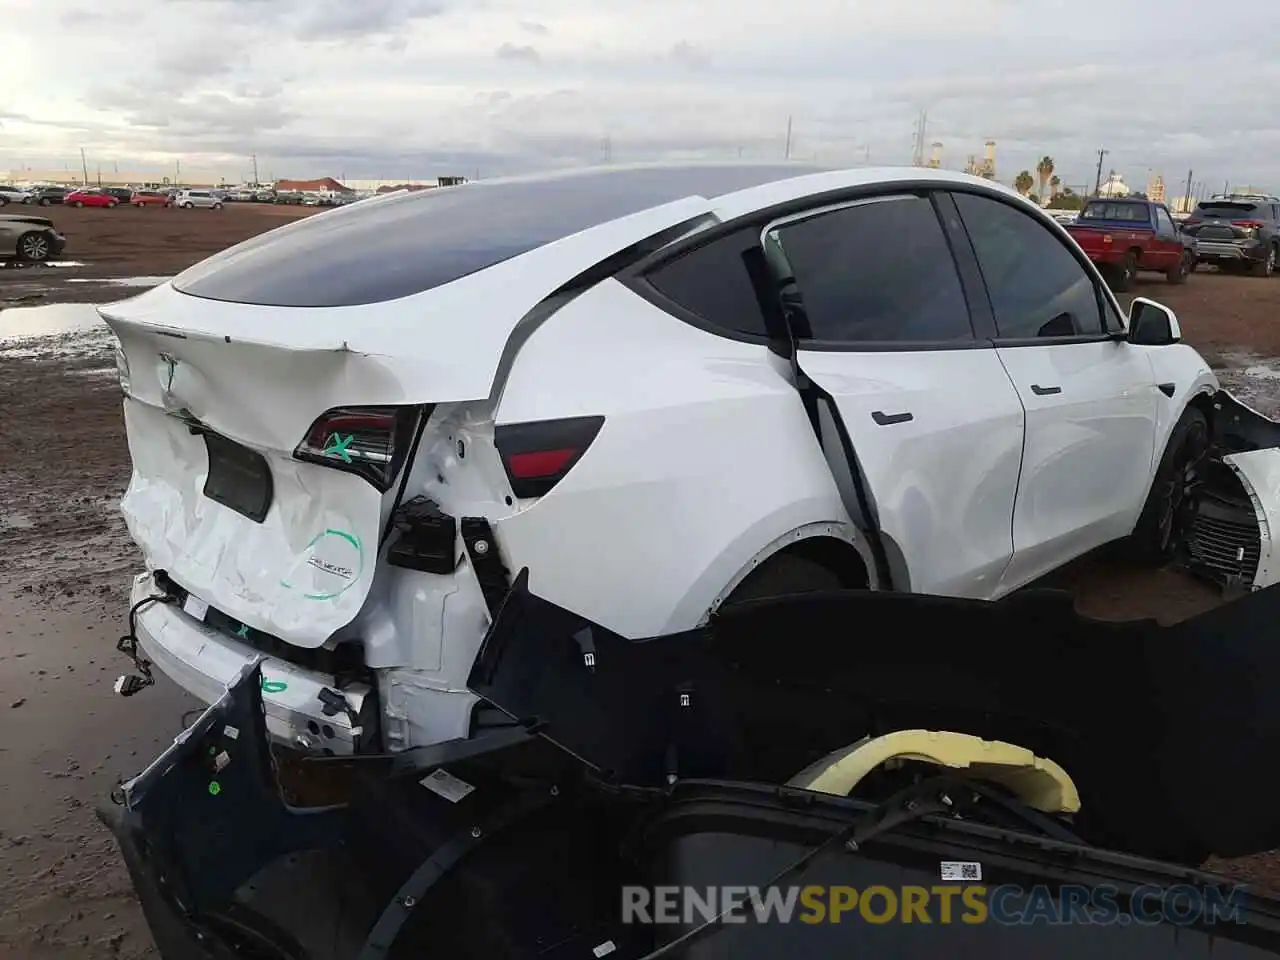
371, 442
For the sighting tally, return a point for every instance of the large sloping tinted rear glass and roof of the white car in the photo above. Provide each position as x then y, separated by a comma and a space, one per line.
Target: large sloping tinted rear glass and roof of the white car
396, 246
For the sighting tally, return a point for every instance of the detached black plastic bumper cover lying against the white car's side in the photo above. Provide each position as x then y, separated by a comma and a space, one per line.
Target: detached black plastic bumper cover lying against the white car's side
1160, 728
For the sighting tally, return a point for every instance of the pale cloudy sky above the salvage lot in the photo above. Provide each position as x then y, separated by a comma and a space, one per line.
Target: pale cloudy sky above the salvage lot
385, 89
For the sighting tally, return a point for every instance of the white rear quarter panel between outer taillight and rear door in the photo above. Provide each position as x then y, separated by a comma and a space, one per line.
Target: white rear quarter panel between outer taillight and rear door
706, 463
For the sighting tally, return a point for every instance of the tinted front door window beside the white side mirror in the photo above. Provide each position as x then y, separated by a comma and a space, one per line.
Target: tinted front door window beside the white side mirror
1037, 287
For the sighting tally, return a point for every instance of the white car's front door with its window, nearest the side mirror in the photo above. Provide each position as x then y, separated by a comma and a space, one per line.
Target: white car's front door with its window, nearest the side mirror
1090, 399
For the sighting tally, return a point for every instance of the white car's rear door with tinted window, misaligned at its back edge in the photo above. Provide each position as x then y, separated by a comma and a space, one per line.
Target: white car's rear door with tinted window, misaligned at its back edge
883, 326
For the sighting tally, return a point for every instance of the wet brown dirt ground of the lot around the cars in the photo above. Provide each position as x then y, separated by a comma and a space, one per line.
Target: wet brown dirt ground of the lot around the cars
66, 561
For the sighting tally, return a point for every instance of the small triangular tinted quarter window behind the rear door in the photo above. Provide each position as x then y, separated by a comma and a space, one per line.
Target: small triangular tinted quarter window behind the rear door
712, 282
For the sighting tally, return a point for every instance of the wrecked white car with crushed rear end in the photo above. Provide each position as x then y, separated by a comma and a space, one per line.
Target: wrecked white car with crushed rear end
660, 390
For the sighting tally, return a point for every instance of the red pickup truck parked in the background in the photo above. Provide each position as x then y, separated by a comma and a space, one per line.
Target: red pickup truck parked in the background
1127, 235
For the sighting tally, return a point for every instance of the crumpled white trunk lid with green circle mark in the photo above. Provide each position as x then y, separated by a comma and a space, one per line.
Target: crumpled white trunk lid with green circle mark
253, 381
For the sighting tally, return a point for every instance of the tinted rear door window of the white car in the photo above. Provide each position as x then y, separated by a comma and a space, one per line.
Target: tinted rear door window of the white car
879, 272
